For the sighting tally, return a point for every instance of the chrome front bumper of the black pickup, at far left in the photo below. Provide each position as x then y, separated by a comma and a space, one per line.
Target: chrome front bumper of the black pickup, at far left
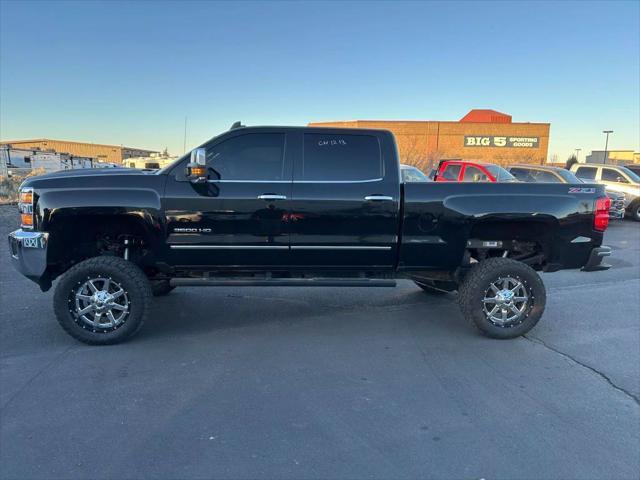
29, 253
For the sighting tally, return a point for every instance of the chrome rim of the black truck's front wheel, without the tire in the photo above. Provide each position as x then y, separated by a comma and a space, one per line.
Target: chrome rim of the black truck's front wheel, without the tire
99, 304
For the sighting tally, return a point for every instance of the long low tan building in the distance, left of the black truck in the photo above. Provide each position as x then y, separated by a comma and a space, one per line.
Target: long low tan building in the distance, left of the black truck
103, 153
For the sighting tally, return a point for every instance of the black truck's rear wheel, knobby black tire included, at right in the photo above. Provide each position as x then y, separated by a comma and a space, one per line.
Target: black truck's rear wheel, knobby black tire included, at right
475, 294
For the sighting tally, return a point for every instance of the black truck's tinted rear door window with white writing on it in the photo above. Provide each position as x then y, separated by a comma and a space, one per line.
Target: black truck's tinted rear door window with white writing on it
340, 158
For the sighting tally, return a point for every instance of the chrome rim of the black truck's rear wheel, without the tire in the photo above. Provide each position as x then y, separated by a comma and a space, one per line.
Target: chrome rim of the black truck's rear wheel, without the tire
506, 302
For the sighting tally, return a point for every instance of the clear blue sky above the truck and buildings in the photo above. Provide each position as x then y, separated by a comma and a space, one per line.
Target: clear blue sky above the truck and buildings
129, 72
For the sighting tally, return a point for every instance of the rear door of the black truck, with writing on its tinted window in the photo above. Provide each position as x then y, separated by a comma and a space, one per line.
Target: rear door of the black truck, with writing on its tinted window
346, 197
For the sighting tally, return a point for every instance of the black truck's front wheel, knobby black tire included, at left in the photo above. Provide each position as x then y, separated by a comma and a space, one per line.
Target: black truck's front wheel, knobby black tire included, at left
126, 281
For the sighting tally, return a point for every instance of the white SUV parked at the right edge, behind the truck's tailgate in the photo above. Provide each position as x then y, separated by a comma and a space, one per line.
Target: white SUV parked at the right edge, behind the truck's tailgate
617, 179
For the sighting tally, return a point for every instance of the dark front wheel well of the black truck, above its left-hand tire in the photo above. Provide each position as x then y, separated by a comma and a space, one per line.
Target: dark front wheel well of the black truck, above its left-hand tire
78, 237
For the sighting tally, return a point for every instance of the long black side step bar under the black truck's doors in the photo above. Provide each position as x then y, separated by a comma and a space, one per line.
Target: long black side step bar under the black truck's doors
282, 282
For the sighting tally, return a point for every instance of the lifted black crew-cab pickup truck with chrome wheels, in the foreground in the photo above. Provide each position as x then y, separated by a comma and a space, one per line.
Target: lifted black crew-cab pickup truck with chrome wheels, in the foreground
296, 206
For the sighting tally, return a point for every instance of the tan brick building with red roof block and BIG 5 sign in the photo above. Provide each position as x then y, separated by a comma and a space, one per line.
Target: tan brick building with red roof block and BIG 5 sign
482, 135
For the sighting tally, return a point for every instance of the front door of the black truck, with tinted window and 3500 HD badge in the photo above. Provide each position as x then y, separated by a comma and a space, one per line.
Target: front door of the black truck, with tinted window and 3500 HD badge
238, 217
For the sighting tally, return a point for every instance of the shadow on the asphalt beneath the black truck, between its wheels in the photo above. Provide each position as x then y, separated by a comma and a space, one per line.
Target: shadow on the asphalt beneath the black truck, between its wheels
189, 311
